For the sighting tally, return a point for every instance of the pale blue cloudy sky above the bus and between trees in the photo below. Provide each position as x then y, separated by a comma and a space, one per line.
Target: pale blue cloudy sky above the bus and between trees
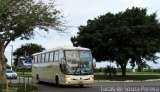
76, 13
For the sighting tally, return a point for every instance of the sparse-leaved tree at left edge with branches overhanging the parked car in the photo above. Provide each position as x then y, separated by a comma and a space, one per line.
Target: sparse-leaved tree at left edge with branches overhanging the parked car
19, 18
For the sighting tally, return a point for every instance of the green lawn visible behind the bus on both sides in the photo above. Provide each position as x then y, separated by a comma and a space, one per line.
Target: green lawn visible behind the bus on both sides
118, 77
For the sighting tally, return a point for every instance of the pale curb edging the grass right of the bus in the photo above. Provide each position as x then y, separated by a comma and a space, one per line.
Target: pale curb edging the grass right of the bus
150, 80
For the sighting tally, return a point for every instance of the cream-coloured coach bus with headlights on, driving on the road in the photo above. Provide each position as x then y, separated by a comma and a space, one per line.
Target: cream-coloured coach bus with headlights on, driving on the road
64, 66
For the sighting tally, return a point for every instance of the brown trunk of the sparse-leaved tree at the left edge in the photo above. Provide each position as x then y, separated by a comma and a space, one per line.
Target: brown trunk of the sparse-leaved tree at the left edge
2, 65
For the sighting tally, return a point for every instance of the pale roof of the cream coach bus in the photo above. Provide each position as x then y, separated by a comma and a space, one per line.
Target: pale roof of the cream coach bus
63, 48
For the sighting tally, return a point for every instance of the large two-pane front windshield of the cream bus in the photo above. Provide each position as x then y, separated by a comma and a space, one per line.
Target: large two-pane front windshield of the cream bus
79, 62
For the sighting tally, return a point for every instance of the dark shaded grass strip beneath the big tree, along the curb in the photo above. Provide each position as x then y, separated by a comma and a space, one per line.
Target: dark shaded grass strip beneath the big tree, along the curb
127, 77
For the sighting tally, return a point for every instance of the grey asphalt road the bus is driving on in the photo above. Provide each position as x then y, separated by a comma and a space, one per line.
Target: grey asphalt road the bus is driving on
145, 86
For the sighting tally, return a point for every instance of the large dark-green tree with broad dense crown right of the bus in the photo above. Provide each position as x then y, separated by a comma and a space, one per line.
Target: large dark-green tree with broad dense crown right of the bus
131, 35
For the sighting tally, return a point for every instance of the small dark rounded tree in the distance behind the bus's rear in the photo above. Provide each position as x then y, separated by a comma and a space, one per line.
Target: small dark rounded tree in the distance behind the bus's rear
26, 50
